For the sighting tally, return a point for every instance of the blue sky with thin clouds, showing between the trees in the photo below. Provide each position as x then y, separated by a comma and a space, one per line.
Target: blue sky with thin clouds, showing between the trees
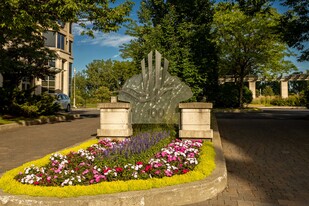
106, 46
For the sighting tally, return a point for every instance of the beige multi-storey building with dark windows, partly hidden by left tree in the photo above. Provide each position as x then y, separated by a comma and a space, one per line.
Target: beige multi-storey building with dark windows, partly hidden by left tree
62, 43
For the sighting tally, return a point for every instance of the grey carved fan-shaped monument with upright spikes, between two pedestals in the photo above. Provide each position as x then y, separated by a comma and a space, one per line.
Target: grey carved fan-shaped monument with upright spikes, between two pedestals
154, 94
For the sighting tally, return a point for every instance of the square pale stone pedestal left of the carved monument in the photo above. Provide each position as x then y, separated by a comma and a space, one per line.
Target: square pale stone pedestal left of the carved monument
115, 120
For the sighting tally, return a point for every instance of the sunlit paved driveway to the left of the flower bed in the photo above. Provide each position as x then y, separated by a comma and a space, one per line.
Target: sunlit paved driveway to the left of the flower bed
23, 144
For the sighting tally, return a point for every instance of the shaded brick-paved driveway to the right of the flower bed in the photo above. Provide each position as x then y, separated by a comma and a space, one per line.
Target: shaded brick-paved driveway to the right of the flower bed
267, 157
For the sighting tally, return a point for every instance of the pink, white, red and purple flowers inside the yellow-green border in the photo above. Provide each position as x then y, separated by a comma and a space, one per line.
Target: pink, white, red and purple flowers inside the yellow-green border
111, 160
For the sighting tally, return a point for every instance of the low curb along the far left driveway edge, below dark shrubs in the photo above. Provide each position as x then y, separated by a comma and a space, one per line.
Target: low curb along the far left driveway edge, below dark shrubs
23, 123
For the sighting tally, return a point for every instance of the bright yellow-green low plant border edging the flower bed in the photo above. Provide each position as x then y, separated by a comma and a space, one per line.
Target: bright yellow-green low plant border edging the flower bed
9, 185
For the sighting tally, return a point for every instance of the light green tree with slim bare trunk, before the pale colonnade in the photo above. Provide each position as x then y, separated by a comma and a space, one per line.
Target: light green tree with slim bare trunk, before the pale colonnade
248, 45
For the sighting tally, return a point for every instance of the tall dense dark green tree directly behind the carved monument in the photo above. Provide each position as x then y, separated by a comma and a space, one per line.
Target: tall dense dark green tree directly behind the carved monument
180, 30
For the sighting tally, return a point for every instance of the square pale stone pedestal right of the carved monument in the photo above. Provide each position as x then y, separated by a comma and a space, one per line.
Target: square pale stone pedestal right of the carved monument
195, 120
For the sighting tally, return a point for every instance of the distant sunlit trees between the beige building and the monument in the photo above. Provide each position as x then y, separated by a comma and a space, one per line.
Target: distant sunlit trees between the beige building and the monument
101, 79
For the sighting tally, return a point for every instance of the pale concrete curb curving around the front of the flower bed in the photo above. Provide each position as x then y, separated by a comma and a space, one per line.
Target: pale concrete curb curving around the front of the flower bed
184, 194
